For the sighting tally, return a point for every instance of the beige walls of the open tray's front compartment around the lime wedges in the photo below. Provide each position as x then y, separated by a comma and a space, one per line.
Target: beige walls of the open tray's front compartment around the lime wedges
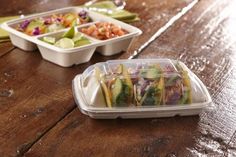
65, 57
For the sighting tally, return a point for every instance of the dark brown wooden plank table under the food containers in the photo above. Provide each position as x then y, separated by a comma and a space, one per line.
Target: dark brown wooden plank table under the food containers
38, 116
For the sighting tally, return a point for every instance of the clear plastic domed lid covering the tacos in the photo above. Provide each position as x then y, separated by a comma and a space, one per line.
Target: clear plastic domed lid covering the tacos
140, 83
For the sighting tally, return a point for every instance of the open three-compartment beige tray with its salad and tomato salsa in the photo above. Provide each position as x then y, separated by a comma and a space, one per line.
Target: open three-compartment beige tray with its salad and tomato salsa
27, 33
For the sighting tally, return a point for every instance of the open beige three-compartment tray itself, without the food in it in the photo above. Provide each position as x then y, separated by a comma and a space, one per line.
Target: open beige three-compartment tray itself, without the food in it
68, 57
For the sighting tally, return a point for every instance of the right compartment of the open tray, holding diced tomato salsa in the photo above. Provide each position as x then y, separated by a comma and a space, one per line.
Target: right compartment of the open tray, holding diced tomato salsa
117, 44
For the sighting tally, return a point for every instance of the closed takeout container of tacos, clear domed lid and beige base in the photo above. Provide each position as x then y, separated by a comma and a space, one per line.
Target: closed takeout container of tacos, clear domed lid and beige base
140, 88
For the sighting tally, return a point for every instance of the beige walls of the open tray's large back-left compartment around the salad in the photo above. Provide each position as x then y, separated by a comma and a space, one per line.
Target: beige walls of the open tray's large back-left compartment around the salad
26, 42
